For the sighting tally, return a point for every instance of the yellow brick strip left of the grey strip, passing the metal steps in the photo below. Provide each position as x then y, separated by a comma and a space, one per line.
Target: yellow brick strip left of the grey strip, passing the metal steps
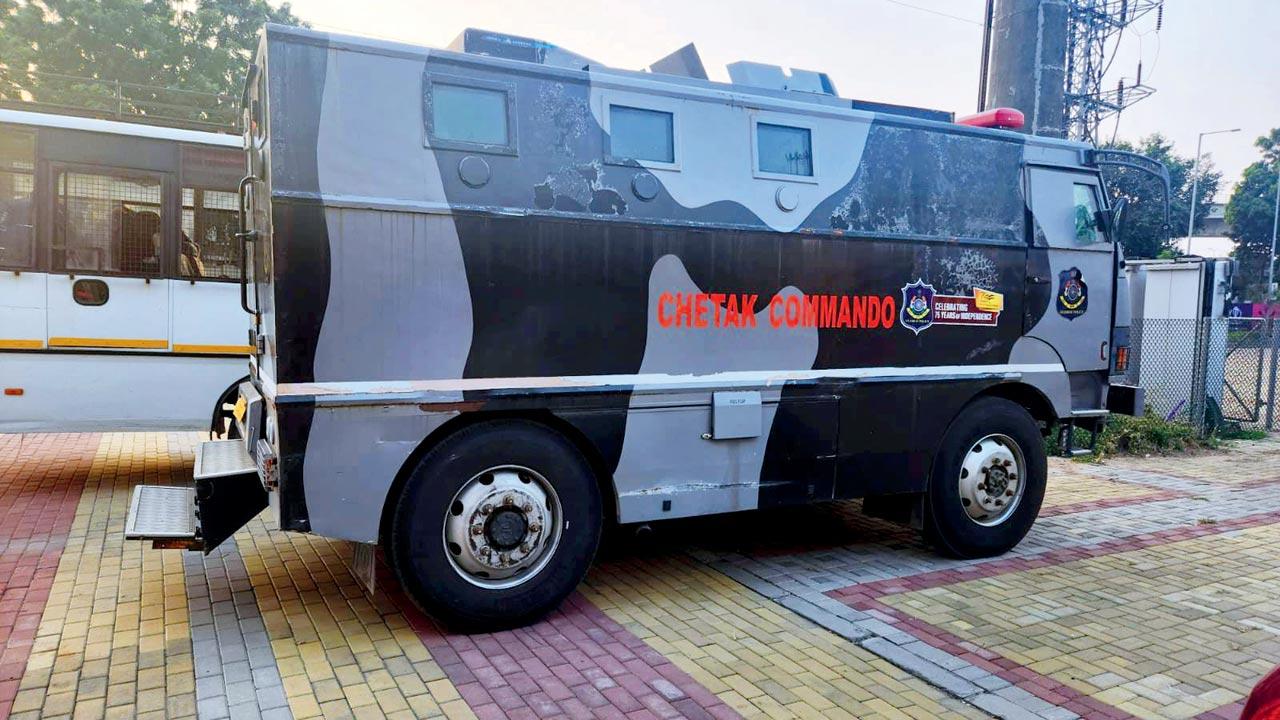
115, 639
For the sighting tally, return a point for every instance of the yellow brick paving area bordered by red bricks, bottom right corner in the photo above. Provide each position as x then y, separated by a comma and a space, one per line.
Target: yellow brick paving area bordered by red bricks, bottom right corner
1164, 632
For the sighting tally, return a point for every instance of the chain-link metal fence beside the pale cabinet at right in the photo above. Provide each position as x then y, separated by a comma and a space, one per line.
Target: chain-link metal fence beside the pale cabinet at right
1217, 375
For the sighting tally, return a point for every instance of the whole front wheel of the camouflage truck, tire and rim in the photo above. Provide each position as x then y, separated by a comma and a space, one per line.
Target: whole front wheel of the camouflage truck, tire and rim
989, 481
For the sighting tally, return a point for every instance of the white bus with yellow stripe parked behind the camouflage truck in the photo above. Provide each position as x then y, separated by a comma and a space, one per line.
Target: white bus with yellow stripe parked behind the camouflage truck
120, 275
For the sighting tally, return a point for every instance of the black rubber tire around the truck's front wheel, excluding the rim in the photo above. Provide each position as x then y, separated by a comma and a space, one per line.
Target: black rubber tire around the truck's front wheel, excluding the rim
947, 523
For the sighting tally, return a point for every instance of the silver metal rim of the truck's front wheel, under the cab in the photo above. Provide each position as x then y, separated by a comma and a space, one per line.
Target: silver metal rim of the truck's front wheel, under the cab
993, 480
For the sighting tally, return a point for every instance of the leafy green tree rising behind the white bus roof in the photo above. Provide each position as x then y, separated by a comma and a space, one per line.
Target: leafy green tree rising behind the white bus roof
170, 60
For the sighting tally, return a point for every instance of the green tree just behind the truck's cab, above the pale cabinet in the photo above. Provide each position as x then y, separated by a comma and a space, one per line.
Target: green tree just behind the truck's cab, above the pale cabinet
1142, 230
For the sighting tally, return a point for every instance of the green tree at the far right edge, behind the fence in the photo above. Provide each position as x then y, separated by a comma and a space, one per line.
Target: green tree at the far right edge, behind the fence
1251, 215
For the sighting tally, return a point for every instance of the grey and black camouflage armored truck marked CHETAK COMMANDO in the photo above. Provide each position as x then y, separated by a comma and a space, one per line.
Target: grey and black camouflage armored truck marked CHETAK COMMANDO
504, 297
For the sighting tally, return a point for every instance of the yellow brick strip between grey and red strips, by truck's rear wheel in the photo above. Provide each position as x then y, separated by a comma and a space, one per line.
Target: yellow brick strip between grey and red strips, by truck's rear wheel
340, 654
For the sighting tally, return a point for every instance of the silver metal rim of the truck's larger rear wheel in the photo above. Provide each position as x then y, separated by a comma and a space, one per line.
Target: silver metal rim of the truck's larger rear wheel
502, 527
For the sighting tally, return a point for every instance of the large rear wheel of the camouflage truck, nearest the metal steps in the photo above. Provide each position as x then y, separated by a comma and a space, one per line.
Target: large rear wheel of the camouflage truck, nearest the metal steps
497, 526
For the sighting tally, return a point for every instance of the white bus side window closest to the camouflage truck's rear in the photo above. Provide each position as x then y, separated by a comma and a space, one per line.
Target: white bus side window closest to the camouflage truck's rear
208, 245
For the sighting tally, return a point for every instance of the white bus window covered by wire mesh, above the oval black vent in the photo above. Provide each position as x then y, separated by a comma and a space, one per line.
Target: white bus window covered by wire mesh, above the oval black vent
108, 224
